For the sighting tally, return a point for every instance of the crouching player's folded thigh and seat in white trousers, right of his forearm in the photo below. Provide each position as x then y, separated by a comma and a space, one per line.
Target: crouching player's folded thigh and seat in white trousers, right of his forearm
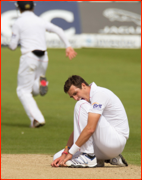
108, 143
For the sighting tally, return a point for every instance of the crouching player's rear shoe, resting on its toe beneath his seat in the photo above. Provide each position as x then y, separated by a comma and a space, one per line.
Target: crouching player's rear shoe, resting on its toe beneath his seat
119, 160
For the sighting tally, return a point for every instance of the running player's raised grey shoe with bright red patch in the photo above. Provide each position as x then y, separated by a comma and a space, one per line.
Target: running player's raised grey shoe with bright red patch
43, 85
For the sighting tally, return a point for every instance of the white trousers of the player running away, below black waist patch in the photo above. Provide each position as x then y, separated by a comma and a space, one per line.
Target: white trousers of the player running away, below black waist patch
31, 68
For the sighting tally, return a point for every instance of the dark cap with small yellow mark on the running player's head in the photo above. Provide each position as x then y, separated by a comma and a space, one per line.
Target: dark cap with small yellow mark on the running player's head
25, 5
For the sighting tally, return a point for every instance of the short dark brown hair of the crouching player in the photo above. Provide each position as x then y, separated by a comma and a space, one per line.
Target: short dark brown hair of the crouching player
74, 80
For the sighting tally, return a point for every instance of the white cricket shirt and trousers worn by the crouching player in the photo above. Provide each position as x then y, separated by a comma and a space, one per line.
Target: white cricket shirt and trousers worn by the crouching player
112, 131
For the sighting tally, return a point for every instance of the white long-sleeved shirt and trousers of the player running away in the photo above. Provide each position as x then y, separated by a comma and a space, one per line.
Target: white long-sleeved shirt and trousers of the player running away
29, 30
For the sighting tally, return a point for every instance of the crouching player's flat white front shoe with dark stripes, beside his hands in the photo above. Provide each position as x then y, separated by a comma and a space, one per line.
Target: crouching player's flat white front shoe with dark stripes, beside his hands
82, 161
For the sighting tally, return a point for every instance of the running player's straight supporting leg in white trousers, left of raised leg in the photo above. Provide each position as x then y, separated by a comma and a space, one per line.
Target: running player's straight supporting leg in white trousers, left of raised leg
26, 74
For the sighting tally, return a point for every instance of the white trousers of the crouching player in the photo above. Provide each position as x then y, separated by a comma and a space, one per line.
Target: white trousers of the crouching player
105, 143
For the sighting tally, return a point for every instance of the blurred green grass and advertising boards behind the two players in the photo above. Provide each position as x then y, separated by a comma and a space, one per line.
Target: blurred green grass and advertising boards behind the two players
107, 38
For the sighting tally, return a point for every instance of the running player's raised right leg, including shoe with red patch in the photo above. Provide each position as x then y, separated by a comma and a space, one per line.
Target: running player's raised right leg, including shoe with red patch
40, 85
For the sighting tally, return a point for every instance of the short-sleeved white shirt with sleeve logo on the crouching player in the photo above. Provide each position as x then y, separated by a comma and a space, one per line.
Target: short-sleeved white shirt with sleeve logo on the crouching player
105, 102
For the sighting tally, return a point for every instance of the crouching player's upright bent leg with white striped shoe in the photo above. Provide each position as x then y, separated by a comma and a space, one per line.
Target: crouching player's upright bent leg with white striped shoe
86, 157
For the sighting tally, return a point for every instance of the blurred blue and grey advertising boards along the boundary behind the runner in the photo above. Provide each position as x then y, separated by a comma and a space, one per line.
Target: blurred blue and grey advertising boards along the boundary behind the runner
99, 24
